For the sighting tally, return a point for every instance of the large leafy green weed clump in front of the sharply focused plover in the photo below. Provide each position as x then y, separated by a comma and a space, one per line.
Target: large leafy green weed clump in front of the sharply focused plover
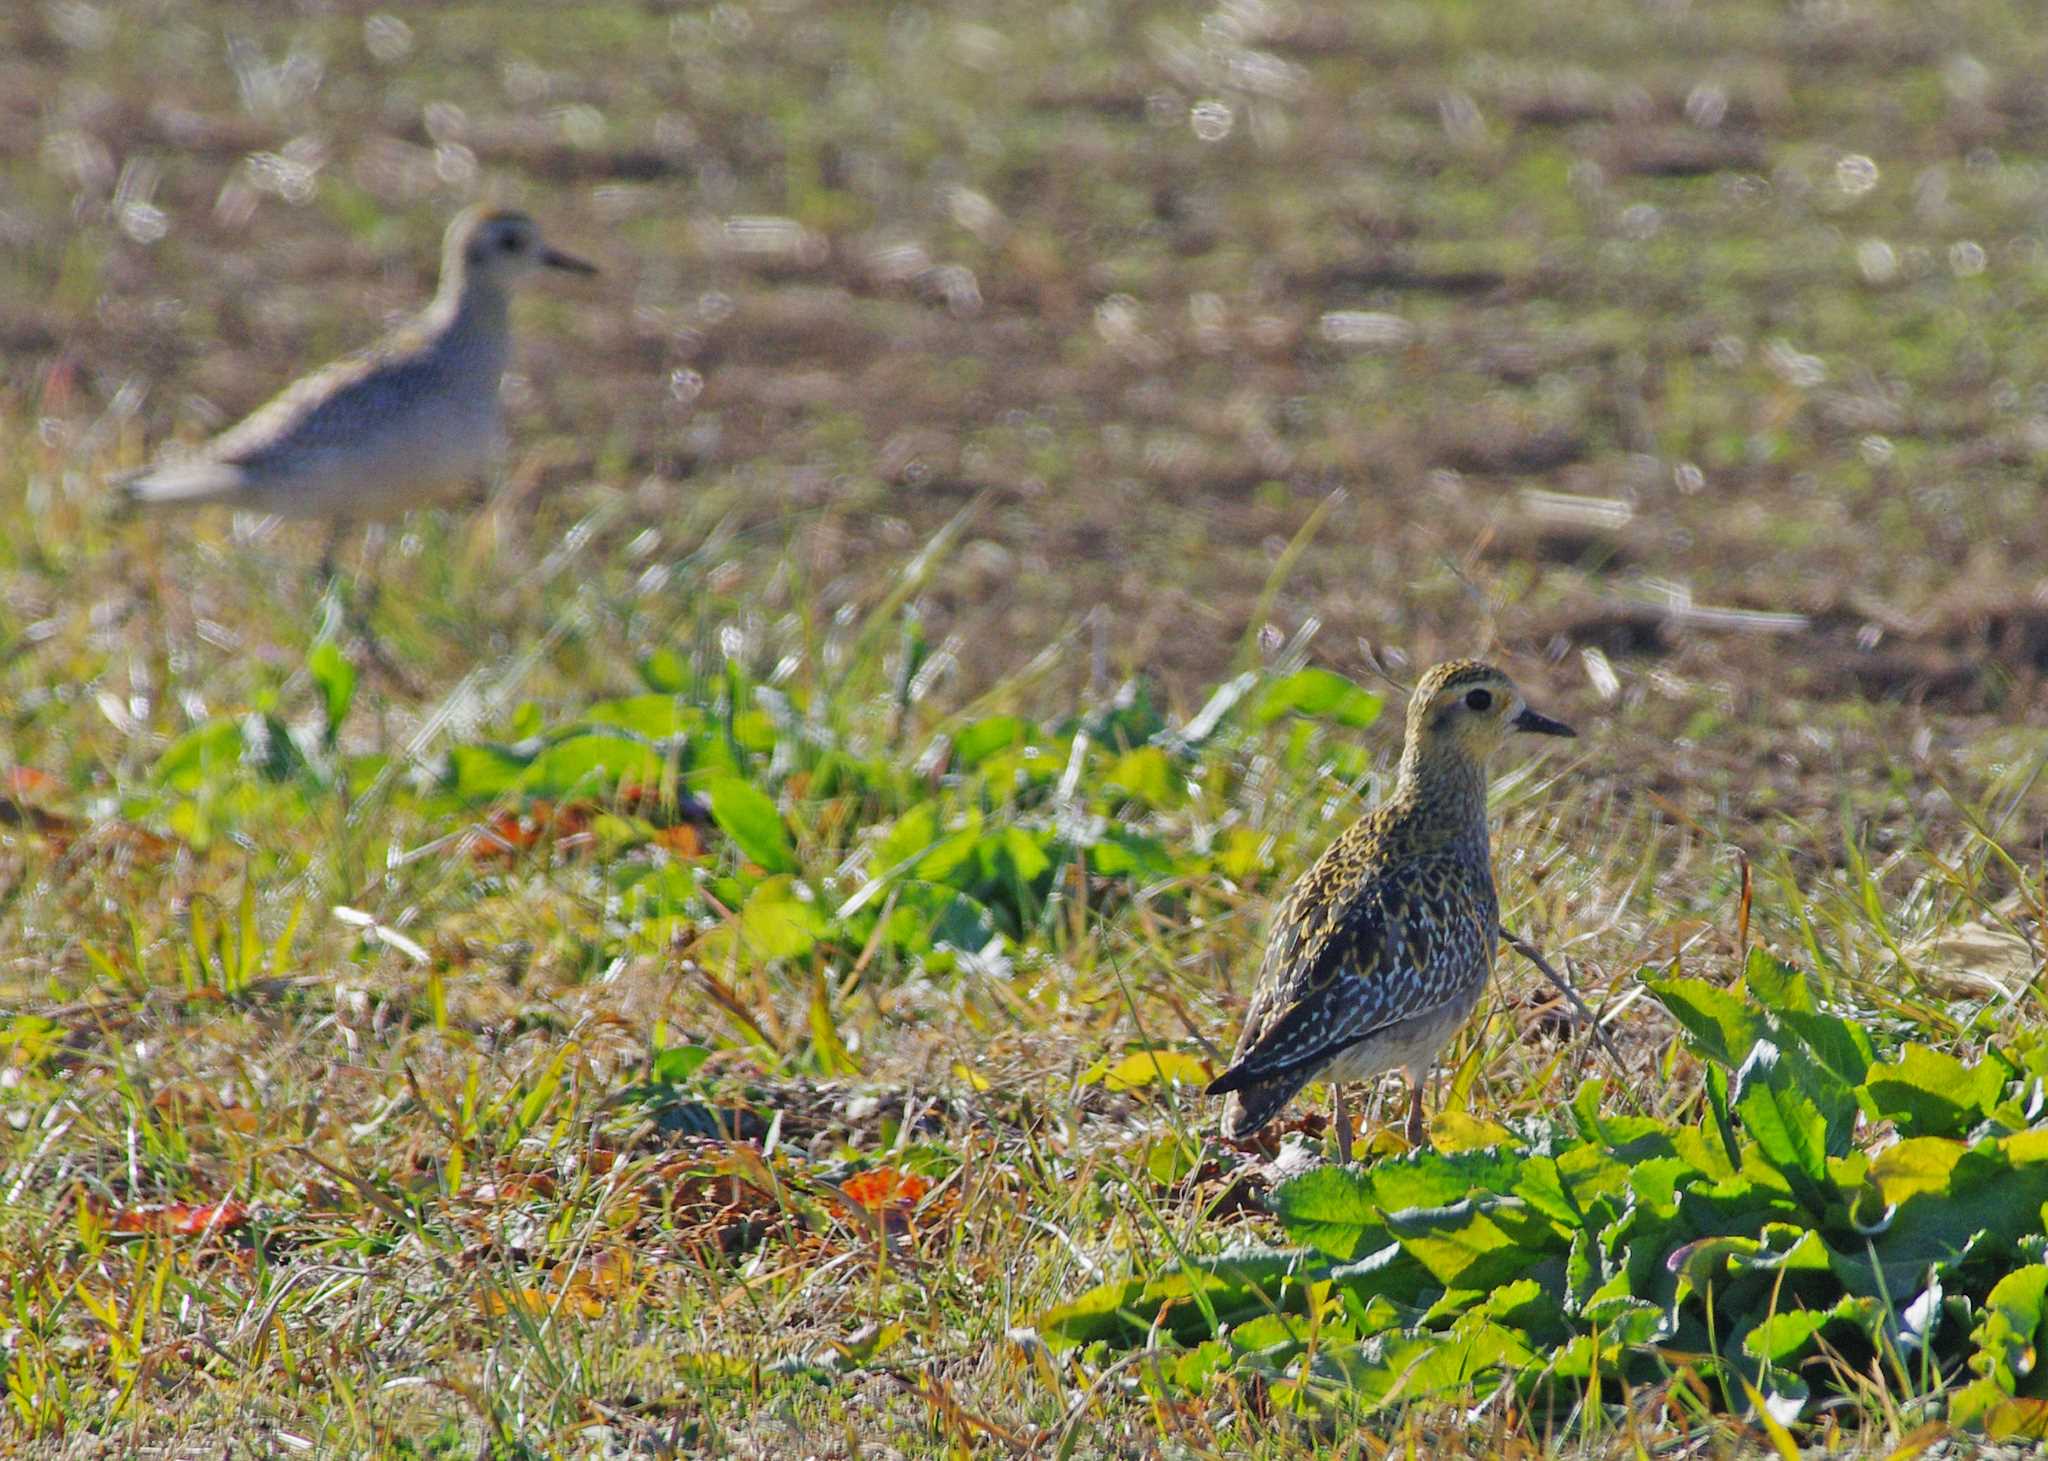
1852, 1218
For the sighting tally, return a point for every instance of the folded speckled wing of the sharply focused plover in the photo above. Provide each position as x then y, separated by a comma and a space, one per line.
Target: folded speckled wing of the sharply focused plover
1390, 950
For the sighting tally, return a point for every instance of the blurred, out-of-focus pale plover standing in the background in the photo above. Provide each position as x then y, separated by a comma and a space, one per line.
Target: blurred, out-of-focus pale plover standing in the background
390, 427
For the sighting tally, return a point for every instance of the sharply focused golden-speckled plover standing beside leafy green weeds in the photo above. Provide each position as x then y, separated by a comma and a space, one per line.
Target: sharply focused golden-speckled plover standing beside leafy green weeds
1381, 950
